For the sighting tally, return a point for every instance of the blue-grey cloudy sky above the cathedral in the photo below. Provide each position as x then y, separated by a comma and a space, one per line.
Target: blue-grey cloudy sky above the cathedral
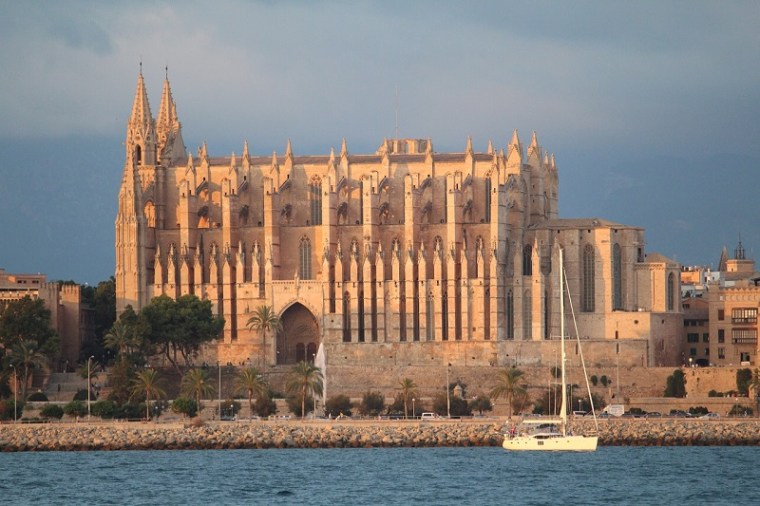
650, 107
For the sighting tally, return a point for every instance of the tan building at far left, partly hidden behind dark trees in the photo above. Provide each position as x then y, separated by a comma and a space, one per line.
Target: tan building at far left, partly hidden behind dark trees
69, 317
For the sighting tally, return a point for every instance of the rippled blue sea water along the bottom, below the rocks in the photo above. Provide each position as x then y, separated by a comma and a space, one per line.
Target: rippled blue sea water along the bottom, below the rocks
385, 476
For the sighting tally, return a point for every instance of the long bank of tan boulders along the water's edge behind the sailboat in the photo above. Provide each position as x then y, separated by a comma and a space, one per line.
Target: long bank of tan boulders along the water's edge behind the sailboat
365, 434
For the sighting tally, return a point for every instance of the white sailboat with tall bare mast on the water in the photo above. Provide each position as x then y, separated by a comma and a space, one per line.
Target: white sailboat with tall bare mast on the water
551, 434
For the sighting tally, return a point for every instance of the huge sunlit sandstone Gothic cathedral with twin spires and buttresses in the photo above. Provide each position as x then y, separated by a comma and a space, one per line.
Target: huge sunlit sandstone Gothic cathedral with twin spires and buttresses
405, 254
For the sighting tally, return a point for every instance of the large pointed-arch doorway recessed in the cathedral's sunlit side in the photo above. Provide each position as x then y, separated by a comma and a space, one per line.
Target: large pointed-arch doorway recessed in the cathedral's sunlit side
299, 338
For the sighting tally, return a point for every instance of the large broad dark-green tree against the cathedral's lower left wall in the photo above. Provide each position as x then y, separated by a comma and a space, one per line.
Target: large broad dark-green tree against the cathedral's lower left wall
178, 328
